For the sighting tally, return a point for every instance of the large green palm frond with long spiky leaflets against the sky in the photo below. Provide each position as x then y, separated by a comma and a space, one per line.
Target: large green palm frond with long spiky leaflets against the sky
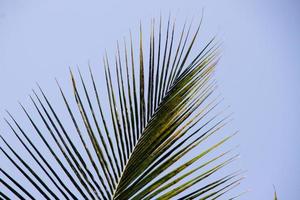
140, 133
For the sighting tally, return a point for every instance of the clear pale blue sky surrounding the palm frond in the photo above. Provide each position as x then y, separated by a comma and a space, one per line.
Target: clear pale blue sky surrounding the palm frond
258, 75
